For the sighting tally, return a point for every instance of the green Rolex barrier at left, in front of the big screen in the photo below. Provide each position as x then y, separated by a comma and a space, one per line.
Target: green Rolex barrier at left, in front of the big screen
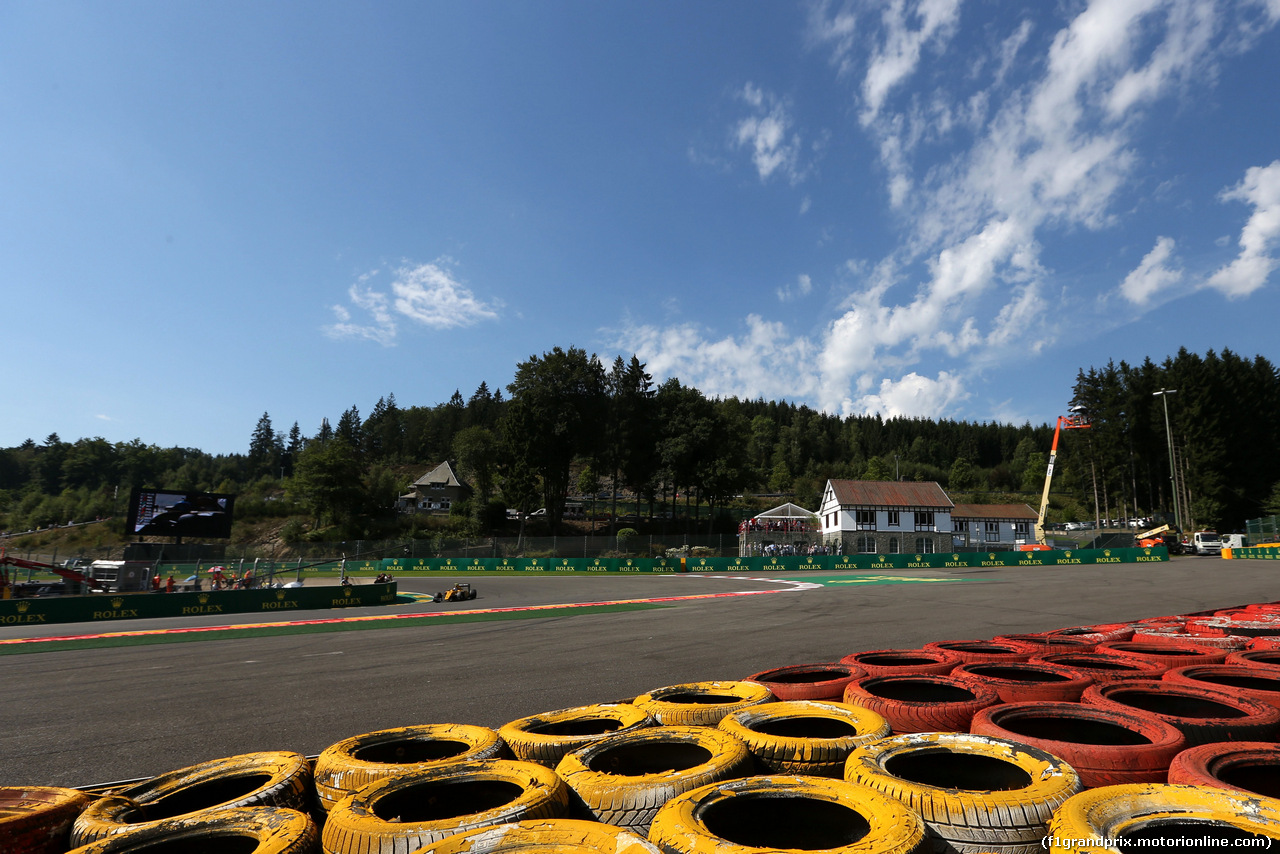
139, 606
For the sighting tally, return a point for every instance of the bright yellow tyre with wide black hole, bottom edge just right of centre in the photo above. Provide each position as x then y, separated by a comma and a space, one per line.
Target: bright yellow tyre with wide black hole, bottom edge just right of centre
787, 814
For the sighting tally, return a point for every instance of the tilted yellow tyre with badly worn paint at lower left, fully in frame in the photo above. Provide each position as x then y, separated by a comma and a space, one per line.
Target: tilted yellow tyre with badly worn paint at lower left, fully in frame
269, 779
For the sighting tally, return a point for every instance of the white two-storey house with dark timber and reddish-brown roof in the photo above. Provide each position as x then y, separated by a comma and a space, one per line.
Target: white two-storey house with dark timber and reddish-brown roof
885, 518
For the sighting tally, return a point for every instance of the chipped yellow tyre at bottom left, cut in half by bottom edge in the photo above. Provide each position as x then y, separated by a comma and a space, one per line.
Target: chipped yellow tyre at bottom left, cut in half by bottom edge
267, 829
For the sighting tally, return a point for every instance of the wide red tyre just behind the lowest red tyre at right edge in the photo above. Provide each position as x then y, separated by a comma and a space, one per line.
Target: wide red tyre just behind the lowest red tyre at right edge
1203, 715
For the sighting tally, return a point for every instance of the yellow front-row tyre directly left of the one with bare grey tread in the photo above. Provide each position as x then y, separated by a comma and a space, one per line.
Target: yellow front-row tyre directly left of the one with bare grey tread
415, 809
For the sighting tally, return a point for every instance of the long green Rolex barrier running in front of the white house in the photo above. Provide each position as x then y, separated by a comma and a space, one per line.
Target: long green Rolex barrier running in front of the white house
808, 564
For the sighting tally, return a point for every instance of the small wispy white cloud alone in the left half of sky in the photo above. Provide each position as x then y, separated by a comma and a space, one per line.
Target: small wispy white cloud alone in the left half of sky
427, 295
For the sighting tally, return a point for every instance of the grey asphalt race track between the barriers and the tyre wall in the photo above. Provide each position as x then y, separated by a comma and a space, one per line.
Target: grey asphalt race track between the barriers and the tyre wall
89, 716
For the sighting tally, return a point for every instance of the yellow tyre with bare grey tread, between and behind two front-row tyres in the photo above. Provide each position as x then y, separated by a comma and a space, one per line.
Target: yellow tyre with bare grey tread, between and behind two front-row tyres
623, 780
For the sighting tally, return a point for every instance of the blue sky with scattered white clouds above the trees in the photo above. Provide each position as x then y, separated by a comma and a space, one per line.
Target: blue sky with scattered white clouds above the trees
936, 208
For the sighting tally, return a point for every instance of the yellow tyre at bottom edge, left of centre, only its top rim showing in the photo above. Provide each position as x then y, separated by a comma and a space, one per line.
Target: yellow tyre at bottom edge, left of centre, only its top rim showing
551, 837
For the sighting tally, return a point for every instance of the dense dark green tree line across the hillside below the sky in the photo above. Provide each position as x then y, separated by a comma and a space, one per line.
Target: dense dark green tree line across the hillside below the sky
572, 424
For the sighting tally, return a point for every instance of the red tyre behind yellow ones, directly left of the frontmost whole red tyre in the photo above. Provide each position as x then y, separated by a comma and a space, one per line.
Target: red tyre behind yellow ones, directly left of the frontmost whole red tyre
922, 704
